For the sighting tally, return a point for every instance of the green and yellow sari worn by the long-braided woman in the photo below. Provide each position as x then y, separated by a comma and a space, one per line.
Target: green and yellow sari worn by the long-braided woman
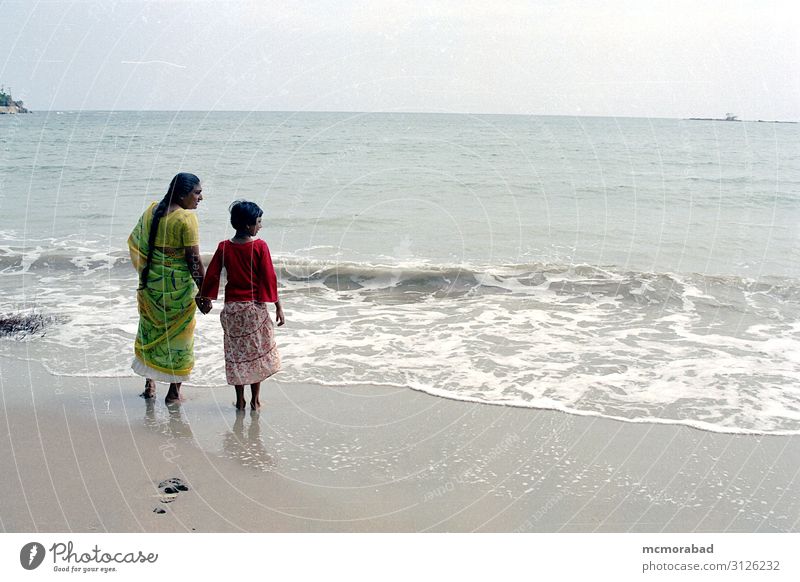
164, 345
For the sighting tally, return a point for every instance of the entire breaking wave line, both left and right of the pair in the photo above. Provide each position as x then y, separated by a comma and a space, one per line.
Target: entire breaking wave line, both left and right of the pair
421, 280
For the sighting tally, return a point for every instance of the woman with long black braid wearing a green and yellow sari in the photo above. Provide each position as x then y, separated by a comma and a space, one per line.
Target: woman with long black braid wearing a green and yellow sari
165, 250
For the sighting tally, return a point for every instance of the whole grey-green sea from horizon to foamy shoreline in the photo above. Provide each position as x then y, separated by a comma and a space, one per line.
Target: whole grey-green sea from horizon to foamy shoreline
645, 270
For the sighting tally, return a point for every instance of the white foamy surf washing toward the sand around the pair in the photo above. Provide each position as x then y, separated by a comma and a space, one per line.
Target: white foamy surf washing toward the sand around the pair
621, 345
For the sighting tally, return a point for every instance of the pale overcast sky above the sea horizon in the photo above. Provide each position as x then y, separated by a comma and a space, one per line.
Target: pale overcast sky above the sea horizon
610, 57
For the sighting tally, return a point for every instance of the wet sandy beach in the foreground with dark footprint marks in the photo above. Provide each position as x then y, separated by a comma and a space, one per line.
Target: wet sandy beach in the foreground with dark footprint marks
87, 455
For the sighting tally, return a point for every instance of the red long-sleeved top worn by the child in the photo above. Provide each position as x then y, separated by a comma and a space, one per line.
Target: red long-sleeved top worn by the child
248, 266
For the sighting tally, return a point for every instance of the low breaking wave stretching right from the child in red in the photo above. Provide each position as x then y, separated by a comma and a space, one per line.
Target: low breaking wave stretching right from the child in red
421, 280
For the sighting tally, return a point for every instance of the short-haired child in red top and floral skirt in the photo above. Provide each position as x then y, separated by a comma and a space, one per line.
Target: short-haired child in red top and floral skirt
250, 352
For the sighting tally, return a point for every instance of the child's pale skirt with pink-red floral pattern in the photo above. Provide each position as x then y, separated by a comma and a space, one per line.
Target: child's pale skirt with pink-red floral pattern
249, 338
